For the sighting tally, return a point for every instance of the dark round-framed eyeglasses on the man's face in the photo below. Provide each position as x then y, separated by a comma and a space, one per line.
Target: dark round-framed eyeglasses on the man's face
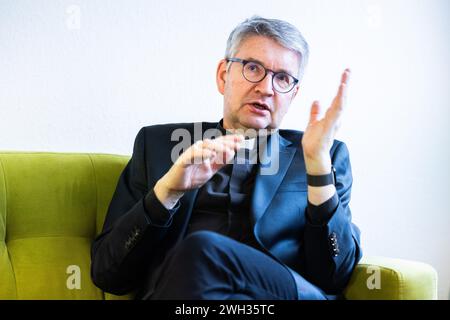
255, 72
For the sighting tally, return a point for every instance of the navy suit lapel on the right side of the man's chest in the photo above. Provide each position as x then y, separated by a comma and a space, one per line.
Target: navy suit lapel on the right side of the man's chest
269, 179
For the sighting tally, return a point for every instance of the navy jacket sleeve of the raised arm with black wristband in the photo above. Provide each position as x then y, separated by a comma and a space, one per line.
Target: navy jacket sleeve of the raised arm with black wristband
331, 240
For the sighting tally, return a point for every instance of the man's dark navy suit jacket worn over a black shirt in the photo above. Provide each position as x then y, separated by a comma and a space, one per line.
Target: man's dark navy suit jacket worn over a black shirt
134, 241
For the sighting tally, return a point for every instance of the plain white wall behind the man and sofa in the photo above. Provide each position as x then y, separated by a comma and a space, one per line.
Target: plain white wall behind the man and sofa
86, 75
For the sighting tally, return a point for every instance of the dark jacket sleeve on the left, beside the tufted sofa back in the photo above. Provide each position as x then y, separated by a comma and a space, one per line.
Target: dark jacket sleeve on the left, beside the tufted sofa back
135, 224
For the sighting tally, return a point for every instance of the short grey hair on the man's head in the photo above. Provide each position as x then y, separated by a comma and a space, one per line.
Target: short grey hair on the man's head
281, 31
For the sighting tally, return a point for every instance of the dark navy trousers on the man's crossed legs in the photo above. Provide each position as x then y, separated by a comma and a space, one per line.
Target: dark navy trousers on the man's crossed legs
207, 265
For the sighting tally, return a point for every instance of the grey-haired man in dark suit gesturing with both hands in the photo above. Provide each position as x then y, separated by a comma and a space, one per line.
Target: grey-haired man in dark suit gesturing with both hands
238, 209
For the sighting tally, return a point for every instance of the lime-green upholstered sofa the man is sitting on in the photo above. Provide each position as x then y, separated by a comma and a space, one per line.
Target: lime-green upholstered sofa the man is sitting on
53, 204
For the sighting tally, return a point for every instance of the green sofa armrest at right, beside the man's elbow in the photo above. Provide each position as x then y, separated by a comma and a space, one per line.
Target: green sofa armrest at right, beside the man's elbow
380, 278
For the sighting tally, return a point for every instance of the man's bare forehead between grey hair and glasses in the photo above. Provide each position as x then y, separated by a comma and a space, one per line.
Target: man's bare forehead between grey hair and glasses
272, 54
